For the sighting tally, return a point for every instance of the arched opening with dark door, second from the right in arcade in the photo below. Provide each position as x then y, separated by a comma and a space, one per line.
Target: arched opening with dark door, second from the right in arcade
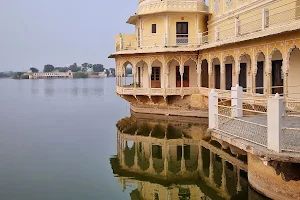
277, 73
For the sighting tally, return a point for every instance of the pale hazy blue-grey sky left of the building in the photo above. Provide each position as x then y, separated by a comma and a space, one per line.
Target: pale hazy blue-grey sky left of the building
60, 32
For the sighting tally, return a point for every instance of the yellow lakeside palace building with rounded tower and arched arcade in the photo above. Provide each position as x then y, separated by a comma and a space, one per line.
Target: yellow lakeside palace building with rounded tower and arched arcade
182, 49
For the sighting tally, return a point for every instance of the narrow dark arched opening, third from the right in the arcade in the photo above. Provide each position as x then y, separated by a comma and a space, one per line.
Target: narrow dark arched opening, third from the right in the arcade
259, 78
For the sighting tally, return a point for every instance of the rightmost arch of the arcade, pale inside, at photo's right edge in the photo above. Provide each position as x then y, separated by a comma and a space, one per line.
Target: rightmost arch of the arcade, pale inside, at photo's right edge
294, 71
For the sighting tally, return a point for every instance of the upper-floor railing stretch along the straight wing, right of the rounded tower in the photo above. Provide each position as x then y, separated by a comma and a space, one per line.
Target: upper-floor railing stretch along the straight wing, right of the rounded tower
265, 20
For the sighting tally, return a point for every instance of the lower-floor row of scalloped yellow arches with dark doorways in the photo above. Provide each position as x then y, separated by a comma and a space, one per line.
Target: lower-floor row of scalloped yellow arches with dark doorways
262, 68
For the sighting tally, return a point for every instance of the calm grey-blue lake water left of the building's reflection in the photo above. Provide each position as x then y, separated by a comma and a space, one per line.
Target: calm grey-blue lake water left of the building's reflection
59, 138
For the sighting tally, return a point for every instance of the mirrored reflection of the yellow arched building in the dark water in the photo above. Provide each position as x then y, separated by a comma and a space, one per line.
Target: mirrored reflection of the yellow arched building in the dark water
172, 158
